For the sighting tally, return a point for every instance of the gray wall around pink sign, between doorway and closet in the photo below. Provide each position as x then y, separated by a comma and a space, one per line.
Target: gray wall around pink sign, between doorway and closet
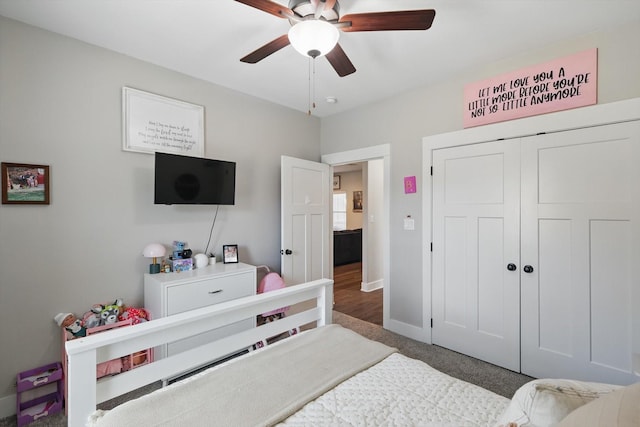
405, 119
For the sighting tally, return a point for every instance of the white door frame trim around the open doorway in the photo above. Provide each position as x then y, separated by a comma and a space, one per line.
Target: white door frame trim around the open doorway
383, 152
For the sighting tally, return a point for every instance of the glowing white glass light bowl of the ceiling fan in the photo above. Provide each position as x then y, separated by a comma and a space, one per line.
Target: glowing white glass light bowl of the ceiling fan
313, 37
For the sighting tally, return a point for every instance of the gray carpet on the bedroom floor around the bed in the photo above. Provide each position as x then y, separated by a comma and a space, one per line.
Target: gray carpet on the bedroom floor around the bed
494, 378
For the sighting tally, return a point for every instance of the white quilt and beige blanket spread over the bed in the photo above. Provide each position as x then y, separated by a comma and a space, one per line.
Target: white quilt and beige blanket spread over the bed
394, 391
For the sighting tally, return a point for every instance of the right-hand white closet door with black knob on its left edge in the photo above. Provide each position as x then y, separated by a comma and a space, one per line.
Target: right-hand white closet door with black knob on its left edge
580, 236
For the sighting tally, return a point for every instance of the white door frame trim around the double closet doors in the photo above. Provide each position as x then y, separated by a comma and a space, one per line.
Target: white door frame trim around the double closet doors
596, 115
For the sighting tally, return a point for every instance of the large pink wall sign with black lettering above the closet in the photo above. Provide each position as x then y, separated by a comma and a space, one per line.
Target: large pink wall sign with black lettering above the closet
561, 84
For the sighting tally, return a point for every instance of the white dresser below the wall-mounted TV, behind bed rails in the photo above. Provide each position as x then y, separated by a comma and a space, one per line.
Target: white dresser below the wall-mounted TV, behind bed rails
166, 294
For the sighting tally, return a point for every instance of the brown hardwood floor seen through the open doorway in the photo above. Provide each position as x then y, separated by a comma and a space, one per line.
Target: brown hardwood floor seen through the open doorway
350, 300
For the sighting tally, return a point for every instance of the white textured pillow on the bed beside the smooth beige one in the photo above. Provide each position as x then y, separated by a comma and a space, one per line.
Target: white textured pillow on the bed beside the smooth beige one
546, 402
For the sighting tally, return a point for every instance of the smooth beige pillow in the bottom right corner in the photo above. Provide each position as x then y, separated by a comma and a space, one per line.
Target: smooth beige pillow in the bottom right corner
619, 408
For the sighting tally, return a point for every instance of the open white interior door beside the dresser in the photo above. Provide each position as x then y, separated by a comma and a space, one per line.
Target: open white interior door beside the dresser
306, 226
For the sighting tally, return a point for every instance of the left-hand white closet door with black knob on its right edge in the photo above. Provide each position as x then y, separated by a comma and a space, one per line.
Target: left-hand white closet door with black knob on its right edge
476, 201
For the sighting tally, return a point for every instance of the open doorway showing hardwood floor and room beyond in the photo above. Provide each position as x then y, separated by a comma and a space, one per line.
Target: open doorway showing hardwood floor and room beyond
358, 274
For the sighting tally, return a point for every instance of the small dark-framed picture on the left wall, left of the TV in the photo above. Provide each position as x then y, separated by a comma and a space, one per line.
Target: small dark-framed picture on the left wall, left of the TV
25, 184
